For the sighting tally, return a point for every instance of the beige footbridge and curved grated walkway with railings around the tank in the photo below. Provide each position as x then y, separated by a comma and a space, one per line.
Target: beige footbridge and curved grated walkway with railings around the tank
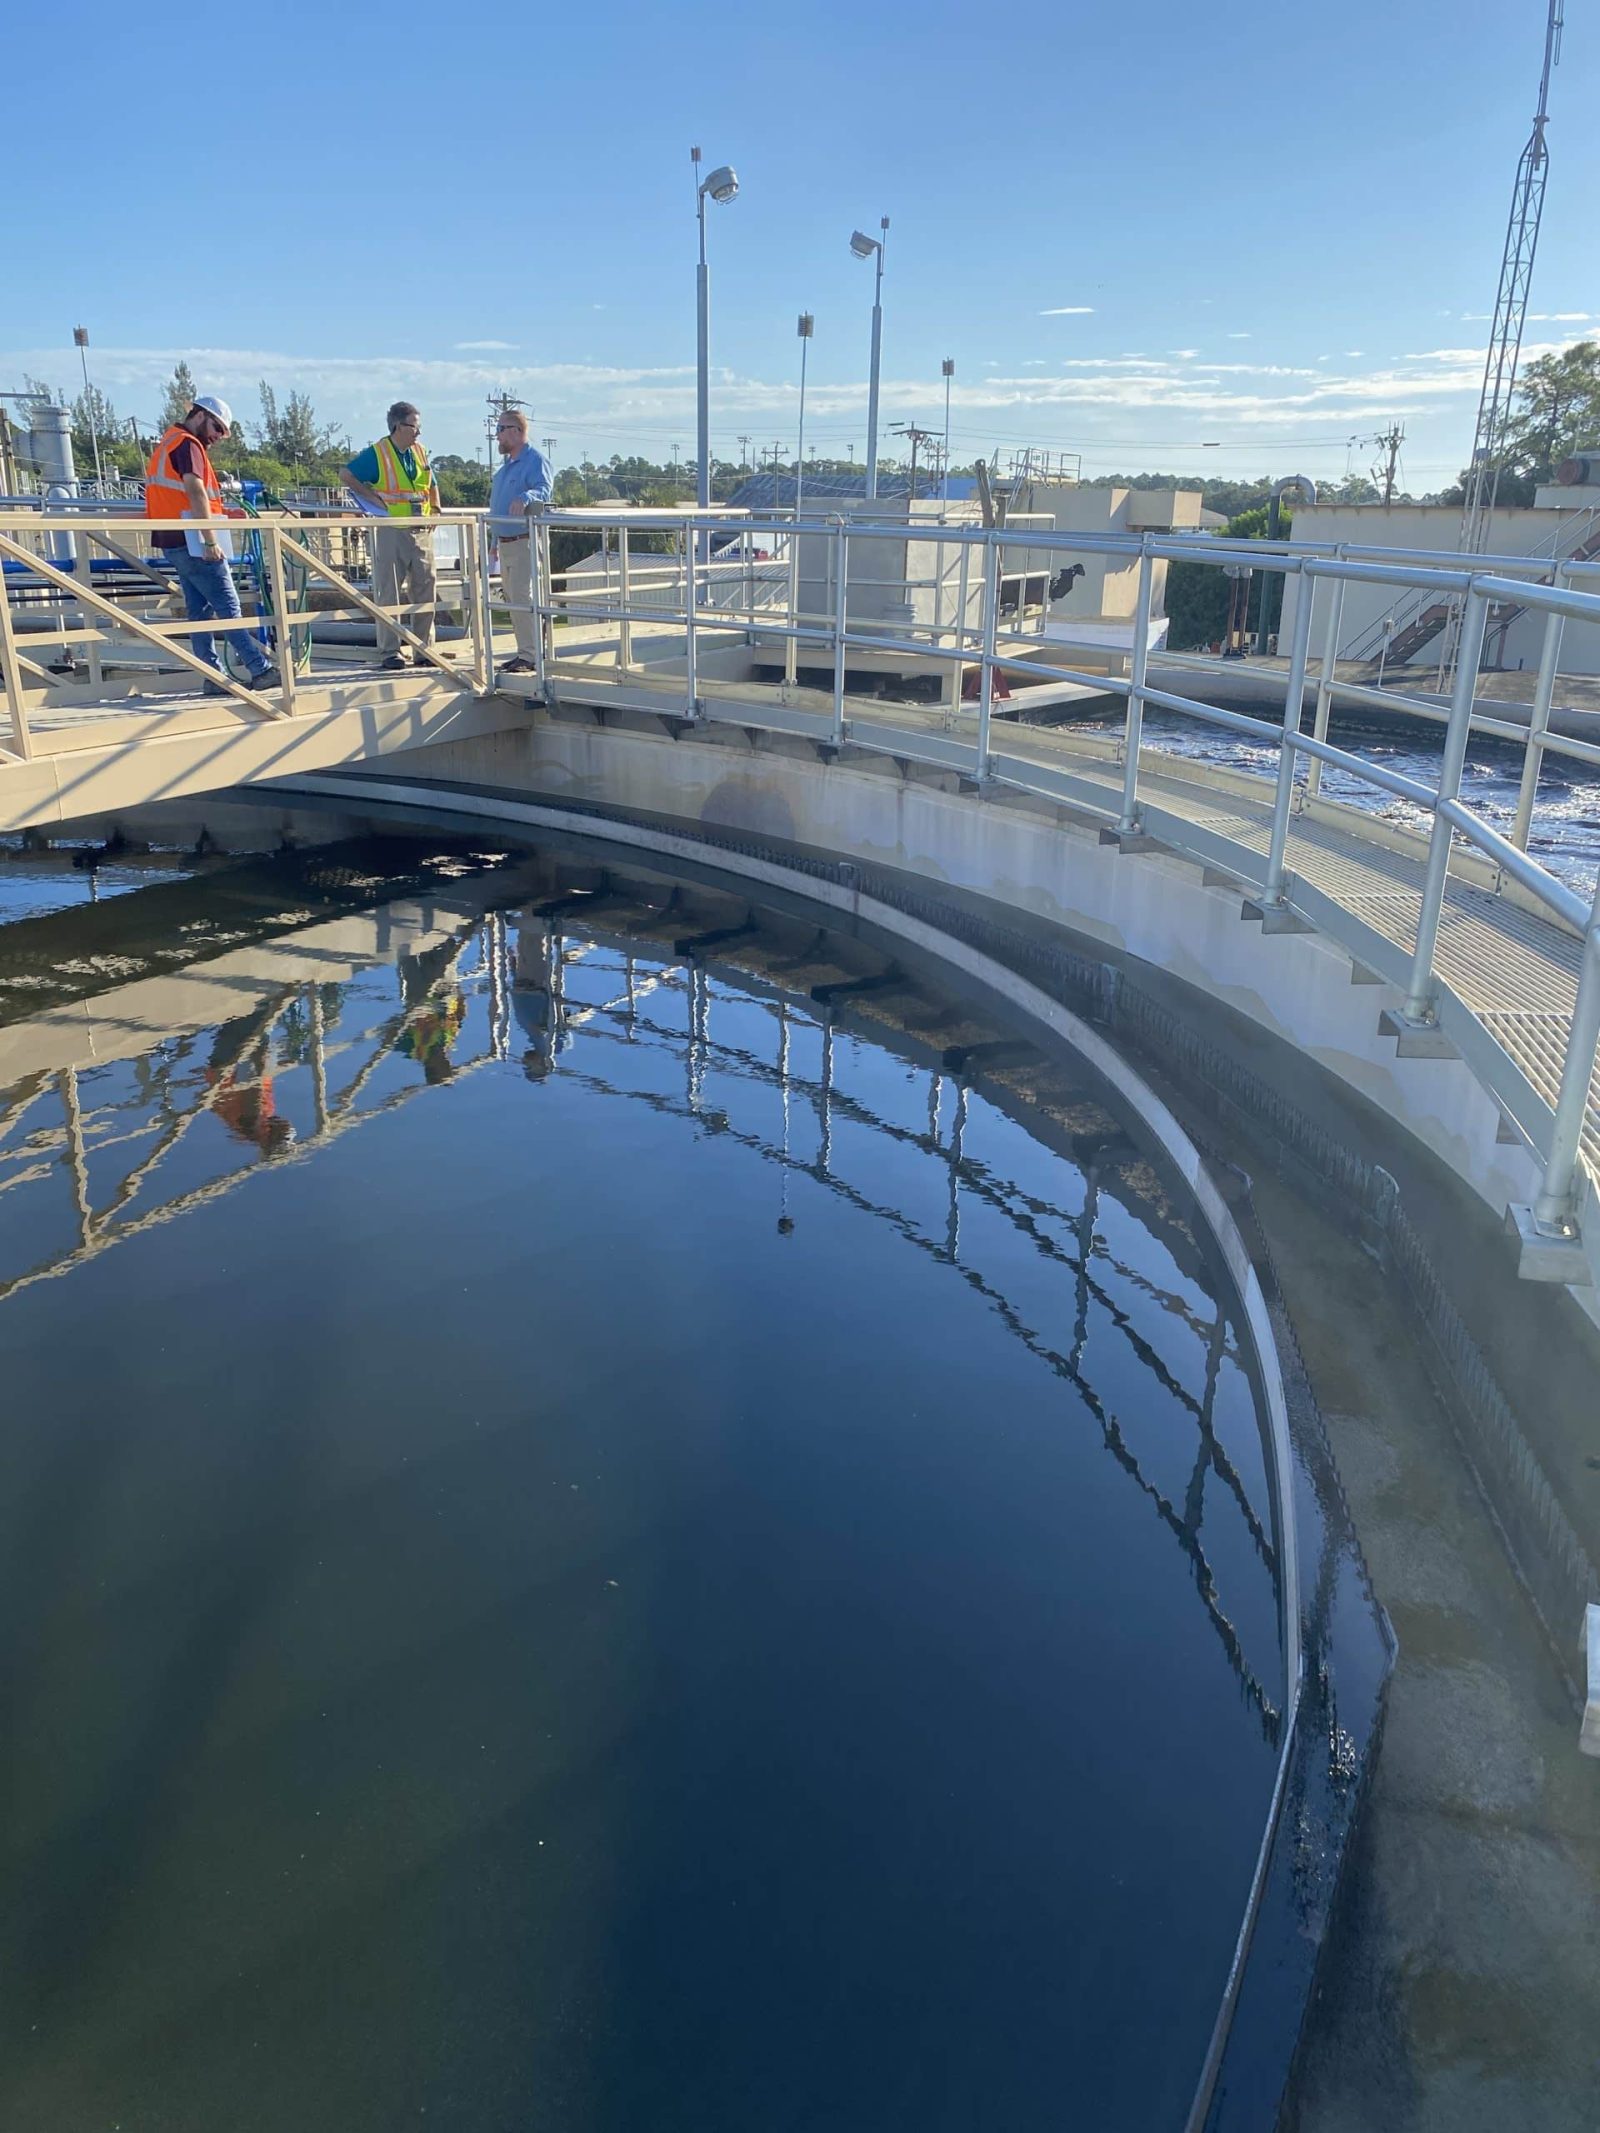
938, 645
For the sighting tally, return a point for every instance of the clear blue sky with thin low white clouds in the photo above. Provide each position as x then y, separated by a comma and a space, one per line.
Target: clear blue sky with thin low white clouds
1136, 229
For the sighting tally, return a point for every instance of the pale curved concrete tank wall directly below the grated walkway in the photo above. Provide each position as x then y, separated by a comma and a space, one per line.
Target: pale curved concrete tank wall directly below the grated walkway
1014, 850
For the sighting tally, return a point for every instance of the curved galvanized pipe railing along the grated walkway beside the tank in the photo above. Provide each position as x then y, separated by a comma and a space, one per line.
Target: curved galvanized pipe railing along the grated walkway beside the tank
978, 643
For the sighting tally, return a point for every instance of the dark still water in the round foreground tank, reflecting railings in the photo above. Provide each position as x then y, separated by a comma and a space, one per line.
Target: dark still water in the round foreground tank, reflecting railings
590, 1547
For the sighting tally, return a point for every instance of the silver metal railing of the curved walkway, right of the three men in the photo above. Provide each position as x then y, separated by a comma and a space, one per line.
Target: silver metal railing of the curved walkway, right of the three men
978, 645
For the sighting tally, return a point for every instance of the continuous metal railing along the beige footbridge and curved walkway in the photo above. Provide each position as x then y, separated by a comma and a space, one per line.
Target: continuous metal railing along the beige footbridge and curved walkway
974, 643
